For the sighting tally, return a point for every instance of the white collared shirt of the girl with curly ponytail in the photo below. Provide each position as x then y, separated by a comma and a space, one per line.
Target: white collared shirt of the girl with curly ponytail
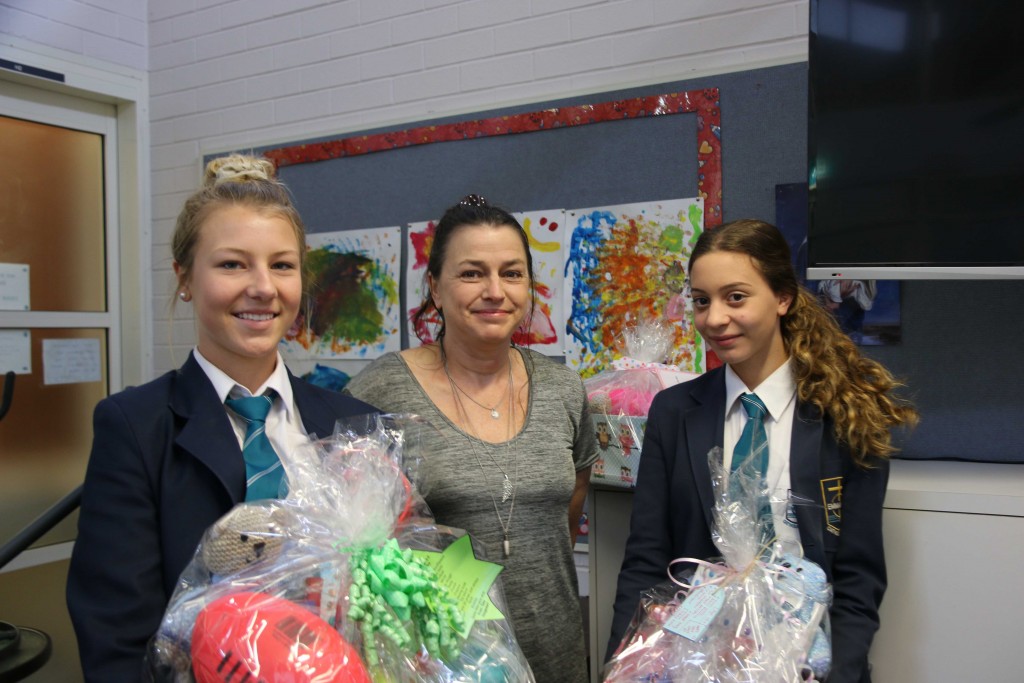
779, 394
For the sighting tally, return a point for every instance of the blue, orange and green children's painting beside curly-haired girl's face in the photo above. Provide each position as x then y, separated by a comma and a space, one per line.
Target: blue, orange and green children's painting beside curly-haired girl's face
627, 265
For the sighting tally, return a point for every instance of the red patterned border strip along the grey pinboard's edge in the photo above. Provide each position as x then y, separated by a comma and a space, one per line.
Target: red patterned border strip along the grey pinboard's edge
703, 103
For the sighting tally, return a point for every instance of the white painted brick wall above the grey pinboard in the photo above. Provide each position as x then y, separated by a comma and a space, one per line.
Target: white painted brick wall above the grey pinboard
236, 74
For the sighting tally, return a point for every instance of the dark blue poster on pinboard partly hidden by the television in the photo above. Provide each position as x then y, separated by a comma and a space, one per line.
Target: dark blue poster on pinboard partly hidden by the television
868, 311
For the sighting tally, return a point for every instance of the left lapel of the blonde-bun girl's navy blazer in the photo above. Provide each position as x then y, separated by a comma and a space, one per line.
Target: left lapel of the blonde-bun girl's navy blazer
206, 435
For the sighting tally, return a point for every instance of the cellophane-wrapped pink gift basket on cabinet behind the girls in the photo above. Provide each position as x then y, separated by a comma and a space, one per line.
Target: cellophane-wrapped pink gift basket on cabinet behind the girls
621, 398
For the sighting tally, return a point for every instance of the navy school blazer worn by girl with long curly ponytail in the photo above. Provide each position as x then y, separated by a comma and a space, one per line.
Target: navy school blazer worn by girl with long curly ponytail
673, 502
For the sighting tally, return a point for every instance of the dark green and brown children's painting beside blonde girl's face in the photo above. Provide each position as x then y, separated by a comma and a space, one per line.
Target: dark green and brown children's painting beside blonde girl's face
354, 310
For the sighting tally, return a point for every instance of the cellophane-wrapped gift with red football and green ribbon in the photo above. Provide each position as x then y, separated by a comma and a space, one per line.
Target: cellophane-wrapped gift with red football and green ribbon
350, 580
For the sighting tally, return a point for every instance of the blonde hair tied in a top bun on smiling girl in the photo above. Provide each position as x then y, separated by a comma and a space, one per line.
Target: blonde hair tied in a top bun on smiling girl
234, 181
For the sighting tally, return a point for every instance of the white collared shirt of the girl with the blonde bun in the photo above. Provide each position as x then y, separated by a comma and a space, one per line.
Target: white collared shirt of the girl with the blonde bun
284, 424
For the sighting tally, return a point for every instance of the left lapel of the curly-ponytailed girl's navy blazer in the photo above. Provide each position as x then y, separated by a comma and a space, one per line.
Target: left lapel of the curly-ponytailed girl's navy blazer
705, 425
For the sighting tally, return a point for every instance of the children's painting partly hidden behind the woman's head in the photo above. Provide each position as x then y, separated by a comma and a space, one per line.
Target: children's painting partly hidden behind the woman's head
544, 332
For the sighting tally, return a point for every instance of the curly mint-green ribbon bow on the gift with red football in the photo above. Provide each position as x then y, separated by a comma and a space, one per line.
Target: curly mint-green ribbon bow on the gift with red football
392, 588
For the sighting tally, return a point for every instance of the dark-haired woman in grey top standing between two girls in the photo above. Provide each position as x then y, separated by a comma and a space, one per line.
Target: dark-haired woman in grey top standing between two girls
509, 459
